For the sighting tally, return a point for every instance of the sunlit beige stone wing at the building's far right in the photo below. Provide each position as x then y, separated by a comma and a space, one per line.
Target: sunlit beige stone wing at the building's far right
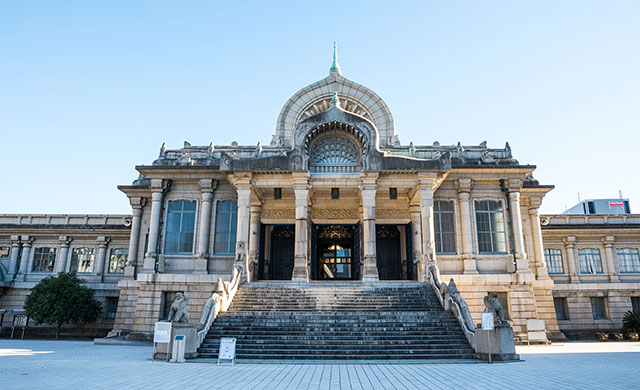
615, 285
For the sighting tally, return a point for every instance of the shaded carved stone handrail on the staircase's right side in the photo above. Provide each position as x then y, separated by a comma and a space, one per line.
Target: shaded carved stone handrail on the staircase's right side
451, 300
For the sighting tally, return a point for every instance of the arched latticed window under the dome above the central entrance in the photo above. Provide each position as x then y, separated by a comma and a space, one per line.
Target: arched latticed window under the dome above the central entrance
334, 152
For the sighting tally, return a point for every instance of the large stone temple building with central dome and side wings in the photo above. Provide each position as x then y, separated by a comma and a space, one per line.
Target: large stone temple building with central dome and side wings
334, 197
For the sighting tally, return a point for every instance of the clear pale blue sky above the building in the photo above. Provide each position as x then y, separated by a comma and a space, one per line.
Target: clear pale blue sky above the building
88, 90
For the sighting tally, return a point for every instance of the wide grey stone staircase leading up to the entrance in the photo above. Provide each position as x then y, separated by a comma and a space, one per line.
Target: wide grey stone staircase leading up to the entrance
330, 321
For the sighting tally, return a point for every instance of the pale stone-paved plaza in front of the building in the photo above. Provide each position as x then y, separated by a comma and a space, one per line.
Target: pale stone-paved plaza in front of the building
45, 364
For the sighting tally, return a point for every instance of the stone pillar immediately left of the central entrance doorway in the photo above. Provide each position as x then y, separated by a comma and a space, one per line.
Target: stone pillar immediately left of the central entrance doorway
301, 190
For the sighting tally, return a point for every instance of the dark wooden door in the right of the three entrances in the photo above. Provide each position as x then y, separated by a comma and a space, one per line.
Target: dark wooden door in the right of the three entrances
388, 252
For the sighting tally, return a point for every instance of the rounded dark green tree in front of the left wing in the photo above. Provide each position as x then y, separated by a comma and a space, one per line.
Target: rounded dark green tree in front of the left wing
62, 299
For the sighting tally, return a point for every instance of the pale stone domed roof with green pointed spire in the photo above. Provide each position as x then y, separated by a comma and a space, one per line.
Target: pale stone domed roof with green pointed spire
316, 98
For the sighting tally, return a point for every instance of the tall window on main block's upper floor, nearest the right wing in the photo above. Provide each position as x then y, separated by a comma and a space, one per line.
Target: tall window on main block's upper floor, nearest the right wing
490, 227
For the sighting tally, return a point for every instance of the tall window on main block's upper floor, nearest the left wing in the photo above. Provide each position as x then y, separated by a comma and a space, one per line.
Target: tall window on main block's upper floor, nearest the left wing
181, 219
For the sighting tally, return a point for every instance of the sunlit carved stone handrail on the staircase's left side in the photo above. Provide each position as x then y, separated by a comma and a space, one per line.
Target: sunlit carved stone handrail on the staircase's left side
219, 302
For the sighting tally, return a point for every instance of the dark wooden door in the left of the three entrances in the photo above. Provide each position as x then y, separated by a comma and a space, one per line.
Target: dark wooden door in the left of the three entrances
282, 252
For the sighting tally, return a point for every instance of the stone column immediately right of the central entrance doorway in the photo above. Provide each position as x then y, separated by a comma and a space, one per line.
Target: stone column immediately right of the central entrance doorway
368, 188
